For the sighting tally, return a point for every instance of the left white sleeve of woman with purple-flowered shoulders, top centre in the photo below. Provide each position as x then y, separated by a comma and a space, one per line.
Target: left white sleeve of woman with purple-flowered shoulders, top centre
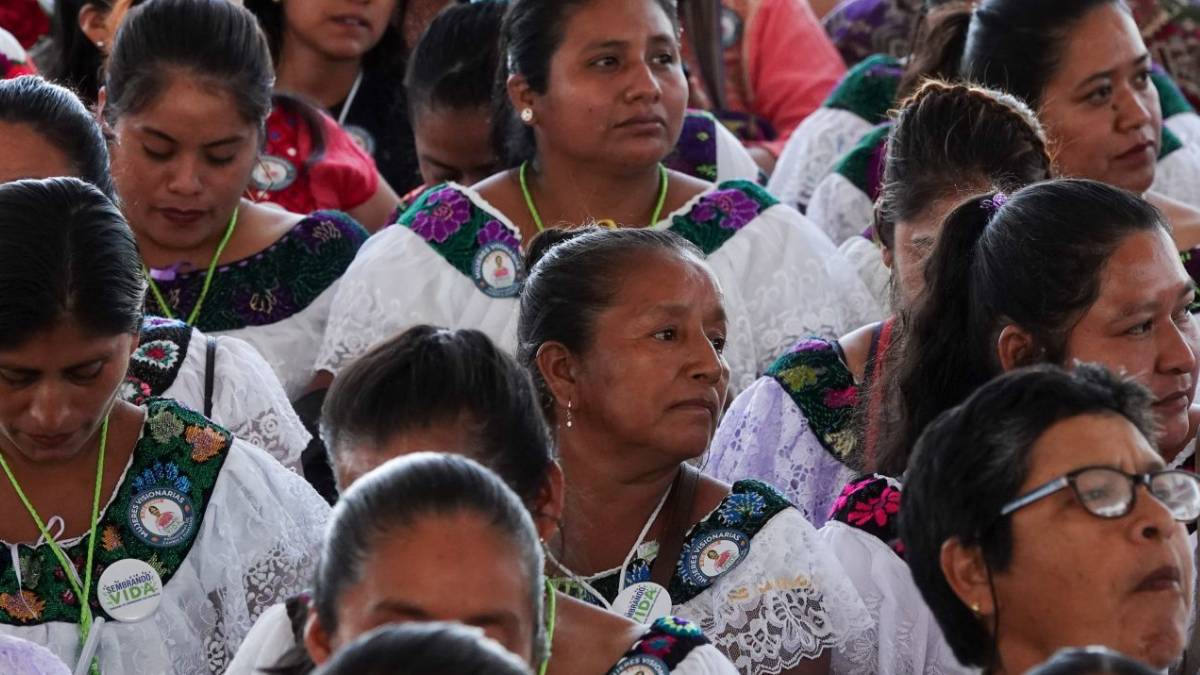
399, 282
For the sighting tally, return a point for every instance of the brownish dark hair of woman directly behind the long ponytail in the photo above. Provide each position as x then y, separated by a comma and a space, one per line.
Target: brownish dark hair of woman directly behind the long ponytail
951, 139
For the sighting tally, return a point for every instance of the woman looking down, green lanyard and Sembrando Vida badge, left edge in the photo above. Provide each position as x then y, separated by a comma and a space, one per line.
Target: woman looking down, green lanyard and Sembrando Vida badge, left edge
239, 530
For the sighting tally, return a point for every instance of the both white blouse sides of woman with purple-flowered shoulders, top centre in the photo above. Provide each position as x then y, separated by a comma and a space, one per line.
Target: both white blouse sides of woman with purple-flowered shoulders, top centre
782, 278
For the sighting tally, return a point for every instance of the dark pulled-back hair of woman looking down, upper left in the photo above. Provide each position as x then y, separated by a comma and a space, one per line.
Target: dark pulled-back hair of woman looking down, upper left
214, 40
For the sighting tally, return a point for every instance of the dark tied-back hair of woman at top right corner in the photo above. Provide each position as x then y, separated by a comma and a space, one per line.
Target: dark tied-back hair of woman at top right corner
1015, 46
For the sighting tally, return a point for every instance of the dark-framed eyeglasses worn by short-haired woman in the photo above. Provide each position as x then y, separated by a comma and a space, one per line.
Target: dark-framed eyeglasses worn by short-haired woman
1111, 493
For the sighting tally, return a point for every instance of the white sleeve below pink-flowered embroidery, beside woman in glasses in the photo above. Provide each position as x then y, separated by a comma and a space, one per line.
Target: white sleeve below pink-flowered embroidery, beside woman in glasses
905, 638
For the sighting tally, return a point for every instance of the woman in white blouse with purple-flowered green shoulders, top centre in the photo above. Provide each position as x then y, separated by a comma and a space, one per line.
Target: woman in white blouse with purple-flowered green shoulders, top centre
781, 278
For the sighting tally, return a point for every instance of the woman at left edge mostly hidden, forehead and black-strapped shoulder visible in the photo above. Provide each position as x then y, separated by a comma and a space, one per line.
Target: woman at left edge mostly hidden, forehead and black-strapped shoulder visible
51, 134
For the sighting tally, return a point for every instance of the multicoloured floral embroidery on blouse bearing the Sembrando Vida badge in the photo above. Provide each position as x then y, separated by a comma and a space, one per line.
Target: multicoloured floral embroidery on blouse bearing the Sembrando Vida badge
164, 464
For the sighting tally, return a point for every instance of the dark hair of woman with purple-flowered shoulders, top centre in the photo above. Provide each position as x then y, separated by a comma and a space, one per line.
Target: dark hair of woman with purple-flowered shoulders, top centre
531, 34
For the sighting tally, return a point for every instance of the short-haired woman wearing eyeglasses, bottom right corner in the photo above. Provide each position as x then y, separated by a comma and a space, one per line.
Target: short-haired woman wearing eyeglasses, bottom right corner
1010, 497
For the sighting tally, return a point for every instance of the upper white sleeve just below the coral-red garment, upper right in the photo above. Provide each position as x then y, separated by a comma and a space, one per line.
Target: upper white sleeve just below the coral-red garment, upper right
812, 153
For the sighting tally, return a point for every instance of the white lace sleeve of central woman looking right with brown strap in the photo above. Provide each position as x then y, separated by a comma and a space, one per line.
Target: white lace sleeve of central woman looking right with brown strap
788, 601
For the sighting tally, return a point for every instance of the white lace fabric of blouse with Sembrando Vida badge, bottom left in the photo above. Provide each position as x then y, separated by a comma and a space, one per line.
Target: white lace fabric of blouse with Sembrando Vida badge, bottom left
256, 546
